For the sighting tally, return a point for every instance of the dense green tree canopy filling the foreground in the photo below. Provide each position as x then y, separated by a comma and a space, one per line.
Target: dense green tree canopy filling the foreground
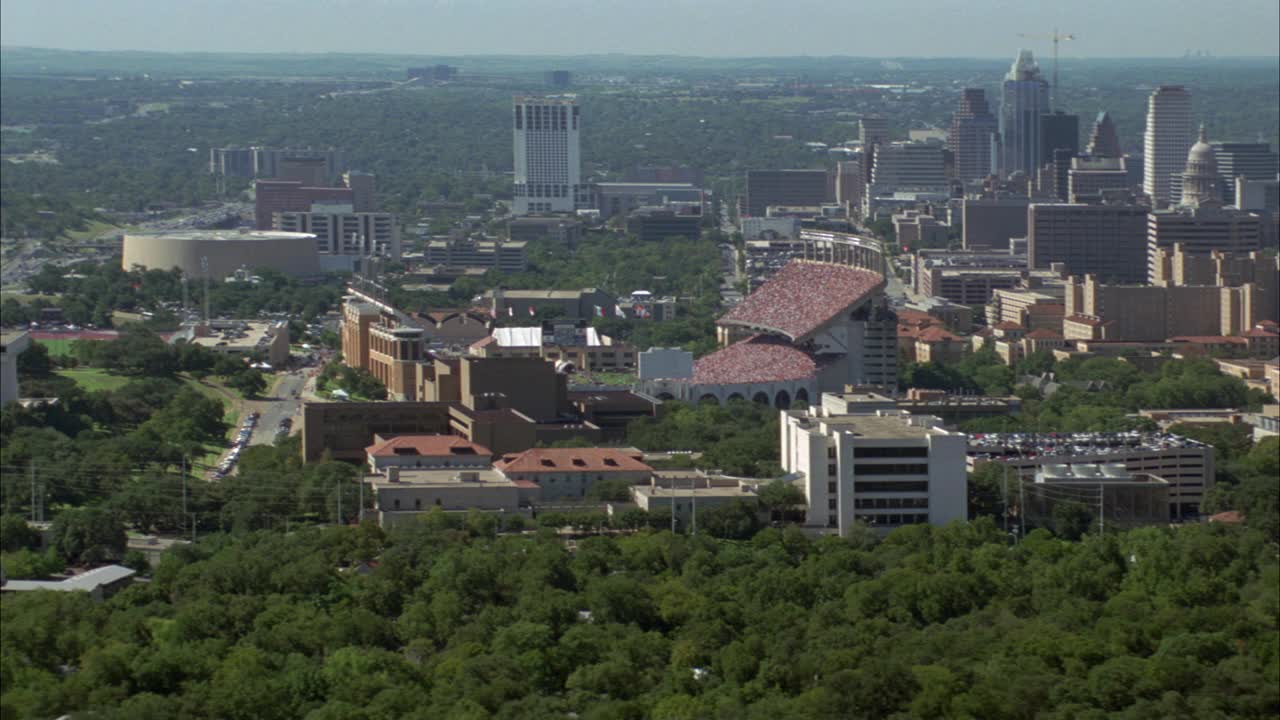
446, 621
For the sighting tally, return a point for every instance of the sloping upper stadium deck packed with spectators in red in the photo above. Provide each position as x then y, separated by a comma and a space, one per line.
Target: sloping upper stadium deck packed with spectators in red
803, 297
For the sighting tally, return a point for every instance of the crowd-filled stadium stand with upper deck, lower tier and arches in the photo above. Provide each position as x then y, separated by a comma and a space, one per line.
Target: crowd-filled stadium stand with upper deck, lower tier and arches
819, 325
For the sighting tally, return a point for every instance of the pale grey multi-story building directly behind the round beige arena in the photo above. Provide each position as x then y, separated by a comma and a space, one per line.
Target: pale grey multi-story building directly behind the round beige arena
345, 234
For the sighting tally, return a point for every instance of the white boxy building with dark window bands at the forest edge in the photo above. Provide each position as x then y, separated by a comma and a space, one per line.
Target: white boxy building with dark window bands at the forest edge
863, 462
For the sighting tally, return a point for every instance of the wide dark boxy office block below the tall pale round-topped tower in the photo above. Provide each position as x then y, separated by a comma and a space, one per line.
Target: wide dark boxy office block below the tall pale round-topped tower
1109, 241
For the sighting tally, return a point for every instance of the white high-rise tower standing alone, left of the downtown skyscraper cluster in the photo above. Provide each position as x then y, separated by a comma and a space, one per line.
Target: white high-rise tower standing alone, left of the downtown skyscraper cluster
548, 160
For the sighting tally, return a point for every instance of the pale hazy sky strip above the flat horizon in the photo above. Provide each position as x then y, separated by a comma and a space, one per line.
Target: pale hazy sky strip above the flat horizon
986, 29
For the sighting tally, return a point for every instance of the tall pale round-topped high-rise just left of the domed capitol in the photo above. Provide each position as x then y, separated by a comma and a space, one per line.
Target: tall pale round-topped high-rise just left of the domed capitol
1171, 134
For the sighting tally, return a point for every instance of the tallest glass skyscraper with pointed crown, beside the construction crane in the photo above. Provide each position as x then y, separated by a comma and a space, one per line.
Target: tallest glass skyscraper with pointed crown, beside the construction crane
1025, 98
